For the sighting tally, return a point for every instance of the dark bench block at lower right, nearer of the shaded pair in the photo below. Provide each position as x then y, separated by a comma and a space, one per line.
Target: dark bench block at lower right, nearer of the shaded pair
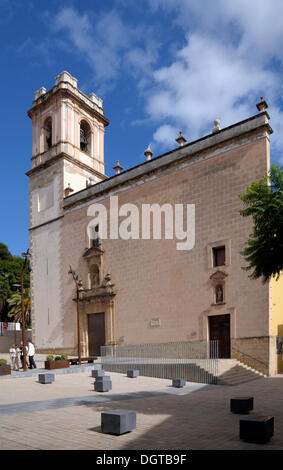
257, 429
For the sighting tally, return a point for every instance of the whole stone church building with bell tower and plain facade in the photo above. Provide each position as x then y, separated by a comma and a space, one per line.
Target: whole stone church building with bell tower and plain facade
144, 290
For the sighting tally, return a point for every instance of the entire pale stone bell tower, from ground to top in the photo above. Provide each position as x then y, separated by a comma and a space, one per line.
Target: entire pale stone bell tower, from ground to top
67, 156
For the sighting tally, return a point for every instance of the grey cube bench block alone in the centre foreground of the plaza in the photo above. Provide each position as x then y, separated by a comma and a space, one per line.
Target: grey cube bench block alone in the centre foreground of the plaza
118, 421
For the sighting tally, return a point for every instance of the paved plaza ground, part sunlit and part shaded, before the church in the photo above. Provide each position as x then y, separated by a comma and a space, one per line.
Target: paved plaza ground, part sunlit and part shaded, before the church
67, 413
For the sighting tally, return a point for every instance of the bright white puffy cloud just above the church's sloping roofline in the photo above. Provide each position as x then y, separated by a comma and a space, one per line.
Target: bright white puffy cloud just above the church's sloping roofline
208, 80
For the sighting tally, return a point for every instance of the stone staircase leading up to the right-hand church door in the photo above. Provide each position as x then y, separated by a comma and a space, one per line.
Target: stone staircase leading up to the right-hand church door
233, 372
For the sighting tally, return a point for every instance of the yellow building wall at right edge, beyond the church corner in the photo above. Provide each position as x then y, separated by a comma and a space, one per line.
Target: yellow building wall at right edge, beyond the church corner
276, 324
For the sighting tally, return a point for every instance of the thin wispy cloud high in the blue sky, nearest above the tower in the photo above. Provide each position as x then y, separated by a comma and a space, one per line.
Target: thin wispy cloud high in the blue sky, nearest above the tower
108, 44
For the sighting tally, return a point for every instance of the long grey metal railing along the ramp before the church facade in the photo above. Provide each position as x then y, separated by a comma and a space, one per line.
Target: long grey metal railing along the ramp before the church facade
196, 361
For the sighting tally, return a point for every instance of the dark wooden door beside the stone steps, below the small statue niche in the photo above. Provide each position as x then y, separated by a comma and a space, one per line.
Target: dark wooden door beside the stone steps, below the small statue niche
219, 329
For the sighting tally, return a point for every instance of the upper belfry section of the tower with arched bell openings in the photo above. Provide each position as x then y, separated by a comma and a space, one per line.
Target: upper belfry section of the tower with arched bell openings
69, 126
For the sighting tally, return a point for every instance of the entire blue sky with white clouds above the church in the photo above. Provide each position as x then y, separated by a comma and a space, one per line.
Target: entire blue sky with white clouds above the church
159, 66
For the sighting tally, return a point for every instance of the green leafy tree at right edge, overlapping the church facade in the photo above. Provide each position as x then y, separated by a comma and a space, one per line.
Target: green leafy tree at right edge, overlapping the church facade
263, 201
